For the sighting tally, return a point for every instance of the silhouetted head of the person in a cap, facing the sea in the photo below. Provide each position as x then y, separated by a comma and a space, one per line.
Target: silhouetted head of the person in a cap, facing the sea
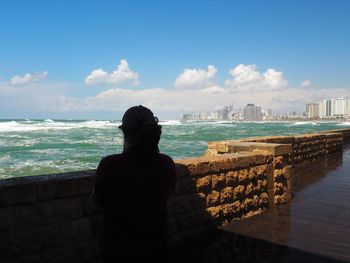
141, 130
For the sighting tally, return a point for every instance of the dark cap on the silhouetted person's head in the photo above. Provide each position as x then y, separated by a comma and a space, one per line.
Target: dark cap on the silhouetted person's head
135, 116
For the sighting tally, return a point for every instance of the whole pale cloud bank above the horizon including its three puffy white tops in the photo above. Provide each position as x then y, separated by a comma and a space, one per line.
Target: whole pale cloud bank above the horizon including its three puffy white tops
194, 90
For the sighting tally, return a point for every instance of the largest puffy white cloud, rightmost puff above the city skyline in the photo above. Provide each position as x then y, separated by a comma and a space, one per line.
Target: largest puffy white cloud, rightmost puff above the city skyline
248, 78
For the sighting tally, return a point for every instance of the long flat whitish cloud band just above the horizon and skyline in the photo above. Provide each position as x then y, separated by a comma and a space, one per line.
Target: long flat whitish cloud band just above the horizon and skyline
180, 101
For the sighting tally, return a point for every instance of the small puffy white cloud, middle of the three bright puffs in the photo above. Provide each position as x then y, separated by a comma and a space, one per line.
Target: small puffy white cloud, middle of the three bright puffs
196, 78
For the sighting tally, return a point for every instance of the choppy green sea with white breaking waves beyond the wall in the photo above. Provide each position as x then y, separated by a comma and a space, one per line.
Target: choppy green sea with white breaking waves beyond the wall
34, 147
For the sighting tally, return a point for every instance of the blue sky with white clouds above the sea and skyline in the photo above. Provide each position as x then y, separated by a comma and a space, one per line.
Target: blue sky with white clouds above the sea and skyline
94, 59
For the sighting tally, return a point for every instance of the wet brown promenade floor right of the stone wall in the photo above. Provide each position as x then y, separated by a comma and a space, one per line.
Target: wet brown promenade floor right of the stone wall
315, 226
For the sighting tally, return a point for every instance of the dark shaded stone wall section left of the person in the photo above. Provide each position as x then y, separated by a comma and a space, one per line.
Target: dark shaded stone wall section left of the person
48, 219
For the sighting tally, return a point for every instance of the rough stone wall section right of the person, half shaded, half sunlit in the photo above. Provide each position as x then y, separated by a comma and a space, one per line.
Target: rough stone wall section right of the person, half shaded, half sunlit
215, 190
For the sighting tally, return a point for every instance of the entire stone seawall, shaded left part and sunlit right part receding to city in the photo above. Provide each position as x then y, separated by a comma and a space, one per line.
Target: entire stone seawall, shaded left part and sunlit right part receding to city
52, 218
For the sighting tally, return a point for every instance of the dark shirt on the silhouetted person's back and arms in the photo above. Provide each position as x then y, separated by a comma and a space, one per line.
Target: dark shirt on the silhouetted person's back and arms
133, 191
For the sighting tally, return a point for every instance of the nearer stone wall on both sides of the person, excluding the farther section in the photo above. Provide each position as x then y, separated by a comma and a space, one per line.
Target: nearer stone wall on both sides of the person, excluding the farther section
52, 218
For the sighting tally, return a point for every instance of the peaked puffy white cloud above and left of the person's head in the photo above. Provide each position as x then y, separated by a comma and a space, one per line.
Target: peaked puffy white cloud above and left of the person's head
123, 74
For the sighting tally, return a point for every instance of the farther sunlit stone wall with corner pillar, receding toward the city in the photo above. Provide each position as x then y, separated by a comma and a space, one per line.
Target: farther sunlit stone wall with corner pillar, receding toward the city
303, 149
